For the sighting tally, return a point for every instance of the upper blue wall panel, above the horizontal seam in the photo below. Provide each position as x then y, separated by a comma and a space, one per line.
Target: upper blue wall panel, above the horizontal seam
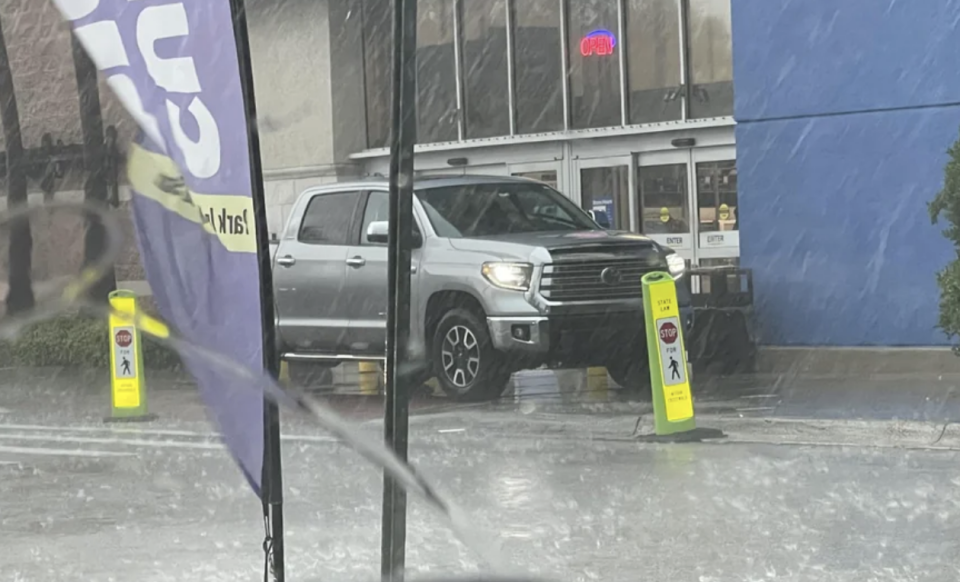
808, 57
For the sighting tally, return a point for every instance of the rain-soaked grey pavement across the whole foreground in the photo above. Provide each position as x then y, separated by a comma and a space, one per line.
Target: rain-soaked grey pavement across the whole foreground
552, 477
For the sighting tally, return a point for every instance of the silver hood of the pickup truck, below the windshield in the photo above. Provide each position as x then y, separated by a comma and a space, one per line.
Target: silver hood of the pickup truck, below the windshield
521, 245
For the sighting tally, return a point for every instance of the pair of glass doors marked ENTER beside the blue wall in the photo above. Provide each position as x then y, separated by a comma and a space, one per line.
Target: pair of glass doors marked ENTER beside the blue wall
688, 201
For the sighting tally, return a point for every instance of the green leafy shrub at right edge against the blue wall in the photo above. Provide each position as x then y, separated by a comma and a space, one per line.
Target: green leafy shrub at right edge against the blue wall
946, 204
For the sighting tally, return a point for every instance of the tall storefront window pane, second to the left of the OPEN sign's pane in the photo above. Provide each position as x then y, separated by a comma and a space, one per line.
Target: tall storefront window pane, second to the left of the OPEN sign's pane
486, 100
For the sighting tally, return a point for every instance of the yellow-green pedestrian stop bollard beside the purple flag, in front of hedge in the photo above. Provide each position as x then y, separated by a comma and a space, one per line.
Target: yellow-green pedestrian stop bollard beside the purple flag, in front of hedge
128, 388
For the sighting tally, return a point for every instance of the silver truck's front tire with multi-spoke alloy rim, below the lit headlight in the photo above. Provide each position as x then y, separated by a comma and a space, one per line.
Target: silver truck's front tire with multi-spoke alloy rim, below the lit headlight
465, 362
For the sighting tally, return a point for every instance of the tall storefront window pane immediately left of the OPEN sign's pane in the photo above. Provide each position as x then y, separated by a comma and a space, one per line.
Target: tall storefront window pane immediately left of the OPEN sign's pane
538, 69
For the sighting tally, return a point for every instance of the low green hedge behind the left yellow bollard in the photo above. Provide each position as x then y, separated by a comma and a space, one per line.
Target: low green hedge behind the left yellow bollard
78, 342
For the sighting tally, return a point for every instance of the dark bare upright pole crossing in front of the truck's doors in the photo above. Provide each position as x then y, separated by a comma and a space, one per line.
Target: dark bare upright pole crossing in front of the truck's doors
398, 381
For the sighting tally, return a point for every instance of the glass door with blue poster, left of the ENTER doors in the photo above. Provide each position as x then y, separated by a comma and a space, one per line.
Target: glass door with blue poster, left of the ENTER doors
604, 187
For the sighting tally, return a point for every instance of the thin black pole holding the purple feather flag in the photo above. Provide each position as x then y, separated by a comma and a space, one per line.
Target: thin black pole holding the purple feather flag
272, 482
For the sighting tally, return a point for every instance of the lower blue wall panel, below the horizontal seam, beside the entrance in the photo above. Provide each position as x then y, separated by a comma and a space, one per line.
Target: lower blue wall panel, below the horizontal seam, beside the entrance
834, 222
